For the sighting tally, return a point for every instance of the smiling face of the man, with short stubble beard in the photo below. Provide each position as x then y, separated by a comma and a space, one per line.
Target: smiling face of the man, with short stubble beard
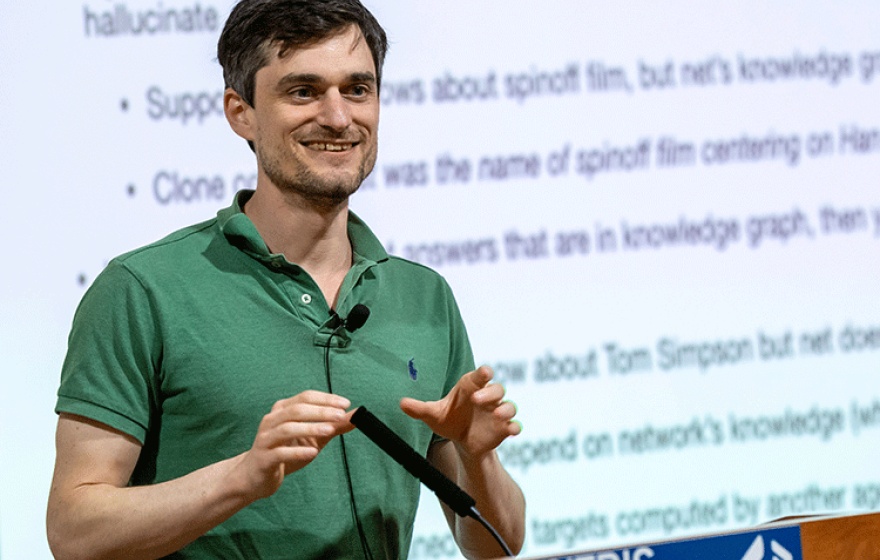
316, 115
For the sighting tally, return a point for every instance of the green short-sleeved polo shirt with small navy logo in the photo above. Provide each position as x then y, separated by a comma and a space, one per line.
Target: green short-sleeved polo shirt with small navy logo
185, 344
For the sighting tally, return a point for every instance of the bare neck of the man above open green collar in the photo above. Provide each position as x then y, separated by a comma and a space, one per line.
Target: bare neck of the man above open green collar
313, 236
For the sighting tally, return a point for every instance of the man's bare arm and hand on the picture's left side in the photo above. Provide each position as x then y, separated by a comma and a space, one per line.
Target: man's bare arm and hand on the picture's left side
94, 513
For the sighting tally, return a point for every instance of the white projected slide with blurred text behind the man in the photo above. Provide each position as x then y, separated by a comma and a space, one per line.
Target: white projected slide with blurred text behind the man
787, 424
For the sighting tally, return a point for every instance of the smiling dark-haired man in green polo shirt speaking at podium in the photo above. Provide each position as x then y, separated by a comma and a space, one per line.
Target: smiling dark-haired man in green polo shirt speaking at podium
210, 378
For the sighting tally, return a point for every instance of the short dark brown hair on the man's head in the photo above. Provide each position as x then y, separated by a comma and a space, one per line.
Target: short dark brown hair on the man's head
254, 26
